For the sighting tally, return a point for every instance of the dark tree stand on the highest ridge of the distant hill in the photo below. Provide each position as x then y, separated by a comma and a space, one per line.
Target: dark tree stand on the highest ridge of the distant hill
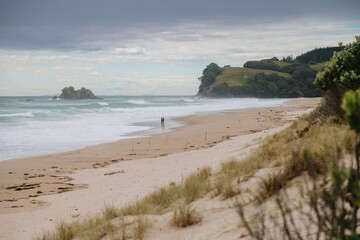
318, 55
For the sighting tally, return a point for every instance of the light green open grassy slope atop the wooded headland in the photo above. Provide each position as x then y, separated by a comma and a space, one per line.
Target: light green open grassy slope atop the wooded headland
235, 76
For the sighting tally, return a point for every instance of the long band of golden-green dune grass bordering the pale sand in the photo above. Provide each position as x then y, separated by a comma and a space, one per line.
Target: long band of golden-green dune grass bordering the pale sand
303, 147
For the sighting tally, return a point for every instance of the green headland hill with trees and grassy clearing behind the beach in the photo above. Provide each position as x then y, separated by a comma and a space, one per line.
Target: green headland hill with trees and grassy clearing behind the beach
268, 78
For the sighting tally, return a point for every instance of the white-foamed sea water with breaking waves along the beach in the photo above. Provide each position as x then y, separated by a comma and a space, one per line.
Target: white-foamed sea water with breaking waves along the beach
32, 126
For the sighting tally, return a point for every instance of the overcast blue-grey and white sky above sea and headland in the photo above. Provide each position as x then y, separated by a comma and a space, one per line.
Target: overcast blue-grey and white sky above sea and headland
158, 47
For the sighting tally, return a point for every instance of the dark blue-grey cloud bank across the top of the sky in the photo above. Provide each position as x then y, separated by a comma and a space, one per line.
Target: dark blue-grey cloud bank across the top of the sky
90, 25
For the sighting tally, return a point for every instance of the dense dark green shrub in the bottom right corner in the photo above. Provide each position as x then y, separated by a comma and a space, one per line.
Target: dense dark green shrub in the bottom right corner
336, 207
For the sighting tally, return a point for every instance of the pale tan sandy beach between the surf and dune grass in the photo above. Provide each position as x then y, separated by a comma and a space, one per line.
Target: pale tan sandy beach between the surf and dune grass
36, 192
